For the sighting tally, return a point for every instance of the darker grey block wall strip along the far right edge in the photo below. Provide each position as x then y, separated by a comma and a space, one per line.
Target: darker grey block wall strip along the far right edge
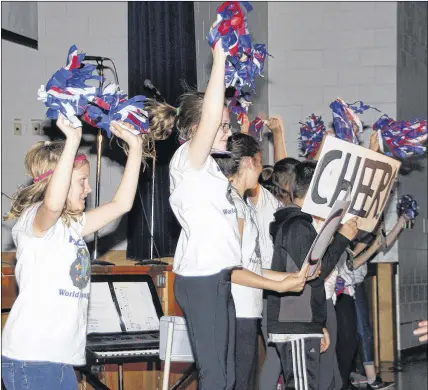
412, 101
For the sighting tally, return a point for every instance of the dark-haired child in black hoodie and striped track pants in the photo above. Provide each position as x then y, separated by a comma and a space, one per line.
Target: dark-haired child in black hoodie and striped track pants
296, 322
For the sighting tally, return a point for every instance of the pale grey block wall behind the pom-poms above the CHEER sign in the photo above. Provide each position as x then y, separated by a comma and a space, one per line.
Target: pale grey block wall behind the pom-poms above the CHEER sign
325, 50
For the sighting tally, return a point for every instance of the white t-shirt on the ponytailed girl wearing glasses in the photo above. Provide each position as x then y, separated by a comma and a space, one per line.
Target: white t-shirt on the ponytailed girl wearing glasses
200, 199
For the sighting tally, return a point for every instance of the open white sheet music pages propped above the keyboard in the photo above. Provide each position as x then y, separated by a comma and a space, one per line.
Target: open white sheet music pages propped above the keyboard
121, 307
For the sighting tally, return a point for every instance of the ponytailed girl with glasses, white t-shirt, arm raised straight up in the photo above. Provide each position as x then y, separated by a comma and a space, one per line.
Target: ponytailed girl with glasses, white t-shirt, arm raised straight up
208, 248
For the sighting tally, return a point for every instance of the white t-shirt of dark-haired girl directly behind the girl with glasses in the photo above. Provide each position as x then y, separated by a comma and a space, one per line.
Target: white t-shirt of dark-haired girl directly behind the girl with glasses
248, 300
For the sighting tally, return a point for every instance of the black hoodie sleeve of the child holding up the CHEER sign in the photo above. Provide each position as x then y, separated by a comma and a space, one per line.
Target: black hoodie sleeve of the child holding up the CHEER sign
298, 241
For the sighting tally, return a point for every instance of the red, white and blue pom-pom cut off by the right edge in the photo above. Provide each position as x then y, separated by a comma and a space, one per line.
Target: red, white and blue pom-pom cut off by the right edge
404, 139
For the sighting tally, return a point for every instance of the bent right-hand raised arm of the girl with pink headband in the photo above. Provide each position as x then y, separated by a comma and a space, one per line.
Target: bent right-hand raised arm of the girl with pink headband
124, 197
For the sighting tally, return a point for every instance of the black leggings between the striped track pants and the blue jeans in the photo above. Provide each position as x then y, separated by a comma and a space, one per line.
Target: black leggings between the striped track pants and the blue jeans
347, 341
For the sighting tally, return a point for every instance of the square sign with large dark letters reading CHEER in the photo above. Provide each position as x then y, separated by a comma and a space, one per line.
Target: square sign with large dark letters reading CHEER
342, 165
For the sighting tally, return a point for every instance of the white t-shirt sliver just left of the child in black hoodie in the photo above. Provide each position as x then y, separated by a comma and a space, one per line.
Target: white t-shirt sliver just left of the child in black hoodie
266, 206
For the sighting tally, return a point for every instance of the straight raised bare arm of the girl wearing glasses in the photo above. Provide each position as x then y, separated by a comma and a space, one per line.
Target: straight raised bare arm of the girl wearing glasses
212, 111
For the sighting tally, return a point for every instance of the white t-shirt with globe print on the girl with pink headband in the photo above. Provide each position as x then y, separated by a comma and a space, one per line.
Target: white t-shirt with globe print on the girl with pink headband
48, 319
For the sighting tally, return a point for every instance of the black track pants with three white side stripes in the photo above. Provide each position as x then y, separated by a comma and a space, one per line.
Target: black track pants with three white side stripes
300, 360
